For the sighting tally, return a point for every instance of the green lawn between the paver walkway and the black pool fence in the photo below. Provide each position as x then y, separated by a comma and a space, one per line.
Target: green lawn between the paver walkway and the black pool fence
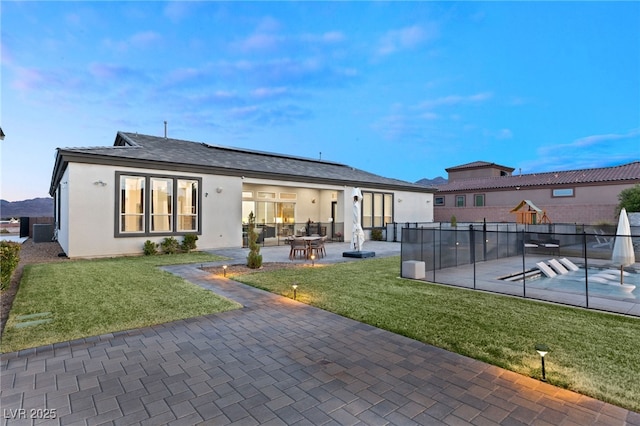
592, 353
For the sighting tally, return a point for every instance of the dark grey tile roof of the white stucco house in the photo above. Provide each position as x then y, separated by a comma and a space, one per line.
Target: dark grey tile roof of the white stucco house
133, 149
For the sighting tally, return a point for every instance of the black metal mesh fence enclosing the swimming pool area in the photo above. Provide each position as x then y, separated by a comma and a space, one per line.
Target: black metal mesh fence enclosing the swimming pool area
510, 258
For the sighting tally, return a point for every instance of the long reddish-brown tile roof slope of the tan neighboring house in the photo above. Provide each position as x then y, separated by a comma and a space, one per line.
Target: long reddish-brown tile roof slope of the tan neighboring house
624, 173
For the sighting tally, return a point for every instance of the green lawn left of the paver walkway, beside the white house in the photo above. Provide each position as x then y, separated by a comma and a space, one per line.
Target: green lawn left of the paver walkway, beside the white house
93, 297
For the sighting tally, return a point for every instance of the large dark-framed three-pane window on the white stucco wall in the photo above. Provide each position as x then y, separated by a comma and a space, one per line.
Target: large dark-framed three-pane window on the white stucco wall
142, 212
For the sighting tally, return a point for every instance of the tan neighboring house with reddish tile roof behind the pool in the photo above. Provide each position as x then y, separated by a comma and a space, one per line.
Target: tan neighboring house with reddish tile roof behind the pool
487, 191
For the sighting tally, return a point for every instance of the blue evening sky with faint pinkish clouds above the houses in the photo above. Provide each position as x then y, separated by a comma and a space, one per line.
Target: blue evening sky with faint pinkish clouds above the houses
403, 90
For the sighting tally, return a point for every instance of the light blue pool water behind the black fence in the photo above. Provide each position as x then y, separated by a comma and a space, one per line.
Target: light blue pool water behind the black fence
603, 282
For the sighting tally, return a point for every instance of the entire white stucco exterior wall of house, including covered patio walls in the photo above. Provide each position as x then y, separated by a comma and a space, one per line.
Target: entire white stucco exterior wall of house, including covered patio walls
89, 202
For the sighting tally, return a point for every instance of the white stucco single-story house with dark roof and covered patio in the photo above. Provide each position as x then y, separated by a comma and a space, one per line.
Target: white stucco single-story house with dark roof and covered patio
110, 200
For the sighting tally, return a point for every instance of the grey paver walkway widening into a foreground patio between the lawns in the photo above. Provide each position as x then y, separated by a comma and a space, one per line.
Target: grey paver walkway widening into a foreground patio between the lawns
276, 362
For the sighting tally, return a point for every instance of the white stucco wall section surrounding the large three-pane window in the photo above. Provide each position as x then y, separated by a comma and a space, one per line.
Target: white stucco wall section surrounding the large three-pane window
91, 210
